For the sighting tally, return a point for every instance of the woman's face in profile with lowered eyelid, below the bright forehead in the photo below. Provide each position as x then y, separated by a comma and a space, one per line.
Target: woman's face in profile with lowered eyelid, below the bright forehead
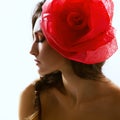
47, 59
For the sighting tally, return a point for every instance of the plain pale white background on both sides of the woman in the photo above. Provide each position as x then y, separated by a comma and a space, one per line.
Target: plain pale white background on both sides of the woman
17, 68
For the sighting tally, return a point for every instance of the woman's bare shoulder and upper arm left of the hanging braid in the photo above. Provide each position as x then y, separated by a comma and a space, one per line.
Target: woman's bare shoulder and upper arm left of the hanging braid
26, 104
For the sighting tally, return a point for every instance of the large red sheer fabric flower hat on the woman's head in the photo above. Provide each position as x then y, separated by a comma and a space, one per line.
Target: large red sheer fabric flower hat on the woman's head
80, 30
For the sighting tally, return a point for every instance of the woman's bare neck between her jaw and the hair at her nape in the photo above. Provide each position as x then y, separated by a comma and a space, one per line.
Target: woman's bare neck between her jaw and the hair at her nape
77, 88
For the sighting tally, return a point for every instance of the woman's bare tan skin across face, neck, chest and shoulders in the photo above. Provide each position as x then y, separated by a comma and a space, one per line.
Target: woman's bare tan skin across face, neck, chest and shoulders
84, 99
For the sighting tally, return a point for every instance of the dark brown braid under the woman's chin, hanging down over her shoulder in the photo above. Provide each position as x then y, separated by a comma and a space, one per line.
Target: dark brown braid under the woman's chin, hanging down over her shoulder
47, 82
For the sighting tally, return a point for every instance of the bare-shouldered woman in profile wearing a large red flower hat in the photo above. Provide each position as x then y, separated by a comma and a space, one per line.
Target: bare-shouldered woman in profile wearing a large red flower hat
72, 40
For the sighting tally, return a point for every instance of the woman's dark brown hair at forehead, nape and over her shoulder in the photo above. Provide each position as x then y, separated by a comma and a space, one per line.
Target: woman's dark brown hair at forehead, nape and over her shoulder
85, 71
